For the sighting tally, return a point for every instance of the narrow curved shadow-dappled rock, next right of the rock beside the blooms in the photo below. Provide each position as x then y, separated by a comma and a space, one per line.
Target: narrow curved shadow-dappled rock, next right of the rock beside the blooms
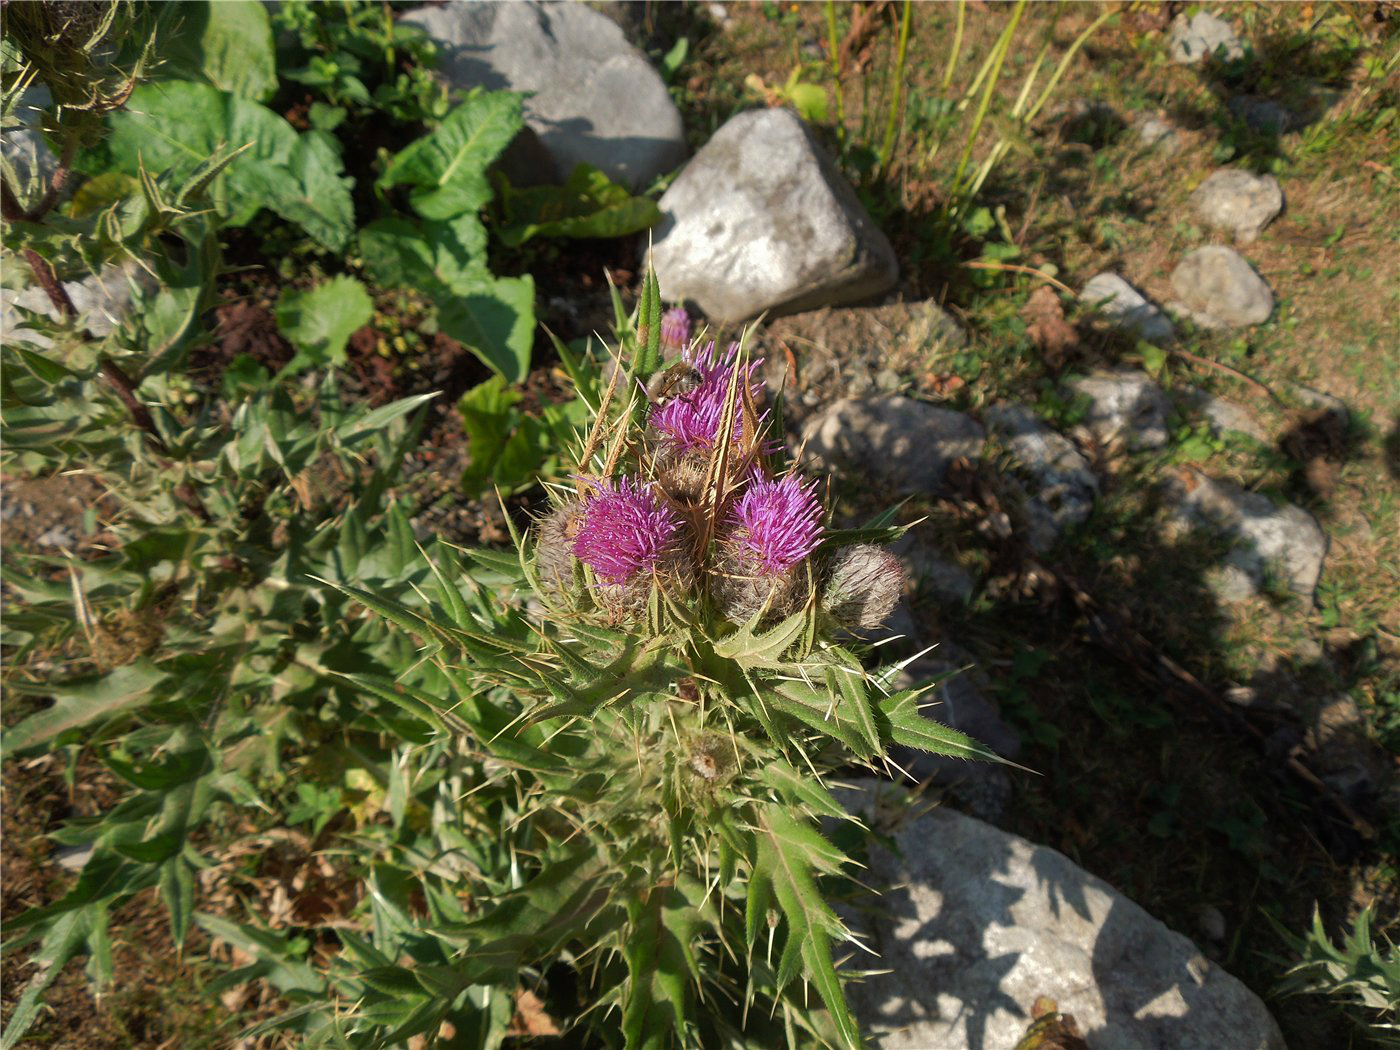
1062, 486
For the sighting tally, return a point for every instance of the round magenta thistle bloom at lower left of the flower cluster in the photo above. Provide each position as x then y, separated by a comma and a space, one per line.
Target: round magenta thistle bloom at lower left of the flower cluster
626, 530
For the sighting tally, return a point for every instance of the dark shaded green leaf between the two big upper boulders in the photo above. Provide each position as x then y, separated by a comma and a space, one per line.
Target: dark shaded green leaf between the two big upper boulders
589, 205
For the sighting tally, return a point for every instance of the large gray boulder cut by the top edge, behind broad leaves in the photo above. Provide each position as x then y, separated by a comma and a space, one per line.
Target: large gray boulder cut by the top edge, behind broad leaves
596, 99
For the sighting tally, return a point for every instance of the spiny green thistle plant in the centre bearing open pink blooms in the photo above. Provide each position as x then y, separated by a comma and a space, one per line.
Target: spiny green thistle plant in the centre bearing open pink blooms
647, 703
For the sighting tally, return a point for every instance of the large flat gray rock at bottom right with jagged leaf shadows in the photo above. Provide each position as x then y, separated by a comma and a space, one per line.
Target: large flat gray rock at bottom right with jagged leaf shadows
983, 923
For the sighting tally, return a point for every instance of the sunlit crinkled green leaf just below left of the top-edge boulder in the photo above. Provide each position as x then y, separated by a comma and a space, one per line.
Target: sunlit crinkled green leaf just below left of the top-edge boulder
447, 167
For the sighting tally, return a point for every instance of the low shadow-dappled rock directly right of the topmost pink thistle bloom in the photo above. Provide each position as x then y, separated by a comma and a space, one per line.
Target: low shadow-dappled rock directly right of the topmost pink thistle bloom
897, 442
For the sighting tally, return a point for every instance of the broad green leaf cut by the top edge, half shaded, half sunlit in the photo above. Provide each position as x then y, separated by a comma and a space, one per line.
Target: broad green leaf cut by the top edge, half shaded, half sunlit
226, 43
